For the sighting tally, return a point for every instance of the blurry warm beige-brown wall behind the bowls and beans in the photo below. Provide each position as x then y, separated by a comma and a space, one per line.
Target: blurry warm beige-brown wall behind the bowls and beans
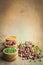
23, 18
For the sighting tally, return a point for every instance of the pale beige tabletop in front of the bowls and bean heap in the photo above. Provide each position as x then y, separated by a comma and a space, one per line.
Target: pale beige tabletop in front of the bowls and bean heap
19, 61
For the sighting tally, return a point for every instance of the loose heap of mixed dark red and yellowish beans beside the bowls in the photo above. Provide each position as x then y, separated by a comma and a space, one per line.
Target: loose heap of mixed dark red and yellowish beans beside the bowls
29, 51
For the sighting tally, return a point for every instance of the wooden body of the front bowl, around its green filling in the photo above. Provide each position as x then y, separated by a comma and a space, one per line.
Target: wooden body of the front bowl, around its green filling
10, 56
